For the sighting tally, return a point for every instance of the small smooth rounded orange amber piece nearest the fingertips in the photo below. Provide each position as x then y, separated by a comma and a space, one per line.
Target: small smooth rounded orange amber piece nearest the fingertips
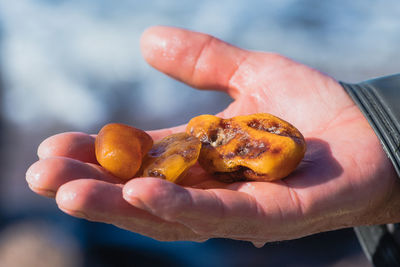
120, 148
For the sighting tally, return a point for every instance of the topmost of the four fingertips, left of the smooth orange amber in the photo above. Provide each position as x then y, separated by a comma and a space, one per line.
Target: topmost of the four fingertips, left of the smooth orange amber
75, 145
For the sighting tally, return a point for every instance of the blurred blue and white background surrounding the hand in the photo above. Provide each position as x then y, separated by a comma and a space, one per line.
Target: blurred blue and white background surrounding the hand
76, 65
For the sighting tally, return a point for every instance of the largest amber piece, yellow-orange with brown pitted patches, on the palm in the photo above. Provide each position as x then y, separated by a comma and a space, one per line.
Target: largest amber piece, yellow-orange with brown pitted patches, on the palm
258, 147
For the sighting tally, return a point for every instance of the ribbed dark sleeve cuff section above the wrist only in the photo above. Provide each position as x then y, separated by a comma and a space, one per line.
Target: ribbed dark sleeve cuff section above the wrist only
379, 100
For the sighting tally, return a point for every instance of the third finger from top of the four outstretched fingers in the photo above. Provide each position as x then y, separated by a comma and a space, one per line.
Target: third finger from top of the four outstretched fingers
102, 202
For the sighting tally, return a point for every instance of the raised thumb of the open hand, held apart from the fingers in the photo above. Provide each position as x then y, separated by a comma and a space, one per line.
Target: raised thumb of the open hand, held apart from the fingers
197, 59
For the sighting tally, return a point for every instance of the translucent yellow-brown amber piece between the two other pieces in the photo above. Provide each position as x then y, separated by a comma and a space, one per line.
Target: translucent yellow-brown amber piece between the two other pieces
171, 157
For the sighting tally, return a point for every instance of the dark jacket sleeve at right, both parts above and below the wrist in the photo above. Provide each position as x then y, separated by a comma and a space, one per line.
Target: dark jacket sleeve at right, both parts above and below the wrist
379, 100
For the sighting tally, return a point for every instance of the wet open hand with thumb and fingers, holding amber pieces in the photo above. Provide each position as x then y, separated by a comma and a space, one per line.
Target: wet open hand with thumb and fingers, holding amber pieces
344, 180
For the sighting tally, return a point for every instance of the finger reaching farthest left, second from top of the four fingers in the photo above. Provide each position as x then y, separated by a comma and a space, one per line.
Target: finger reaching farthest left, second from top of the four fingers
46, 176
